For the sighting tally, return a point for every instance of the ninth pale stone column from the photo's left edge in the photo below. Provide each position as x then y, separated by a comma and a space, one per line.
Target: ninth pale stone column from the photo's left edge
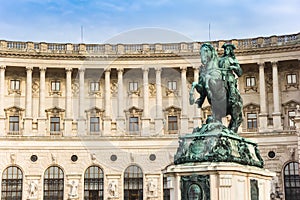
159, 116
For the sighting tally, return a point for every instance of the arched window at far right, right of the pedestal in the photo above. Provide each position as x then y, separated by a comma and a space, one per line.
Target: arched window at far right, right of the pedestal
292, 181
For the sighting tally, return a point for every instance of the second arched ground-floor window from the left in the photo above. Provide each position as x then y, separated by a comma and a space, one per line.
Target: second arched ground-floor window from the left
54, 183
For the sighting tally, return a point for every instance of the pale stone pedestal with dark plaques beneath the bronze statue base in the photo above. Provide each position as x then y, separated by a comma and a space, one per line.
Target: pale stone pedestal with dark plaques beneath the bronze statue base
218, 181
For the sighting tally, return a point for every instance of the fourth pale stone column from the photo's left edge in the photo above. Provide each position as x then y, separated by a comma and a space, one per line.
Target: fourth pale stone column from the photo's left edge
68, 102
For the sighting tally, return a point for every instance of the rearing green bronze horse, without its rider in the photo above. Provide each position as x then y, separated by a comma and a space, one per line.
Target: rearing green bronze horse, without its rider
212, 86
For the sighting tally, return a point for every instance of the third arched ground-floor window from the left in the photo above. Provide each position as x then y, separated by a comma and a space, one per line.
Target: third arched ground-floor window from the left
93, 183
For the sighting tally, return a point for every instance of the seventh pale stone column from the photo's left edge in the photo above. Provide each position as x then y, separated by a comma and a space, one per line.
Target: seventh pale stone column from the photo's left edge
121, 128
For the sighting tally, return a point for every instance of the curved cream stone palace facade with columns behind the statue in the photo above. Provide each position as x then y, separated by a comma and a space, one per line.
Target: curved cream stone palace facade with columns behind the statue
79, 121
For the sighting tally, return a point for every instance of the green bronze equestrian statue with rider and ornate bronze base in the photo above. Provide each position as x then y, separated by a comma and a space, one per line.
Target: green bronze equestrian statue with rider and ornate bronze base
214, 142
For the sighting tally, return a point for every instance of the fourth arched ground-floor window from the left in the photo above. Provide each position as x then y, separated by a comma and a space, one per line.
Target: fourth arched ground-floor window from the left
133, 183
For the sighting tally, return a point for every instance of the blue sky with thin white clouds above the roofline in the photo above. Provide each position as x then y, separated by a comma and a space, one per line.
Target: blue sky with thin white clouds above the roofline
145, 21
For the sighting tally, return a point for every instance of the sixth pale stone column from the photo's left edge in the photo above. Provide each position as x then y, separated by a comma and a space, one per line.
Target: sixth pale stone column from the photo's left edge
107, 117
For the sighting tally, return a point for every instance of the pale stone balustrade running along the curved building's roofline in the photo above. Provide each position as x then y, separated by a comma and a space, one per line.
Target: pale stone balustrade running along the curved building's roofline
110, 49
